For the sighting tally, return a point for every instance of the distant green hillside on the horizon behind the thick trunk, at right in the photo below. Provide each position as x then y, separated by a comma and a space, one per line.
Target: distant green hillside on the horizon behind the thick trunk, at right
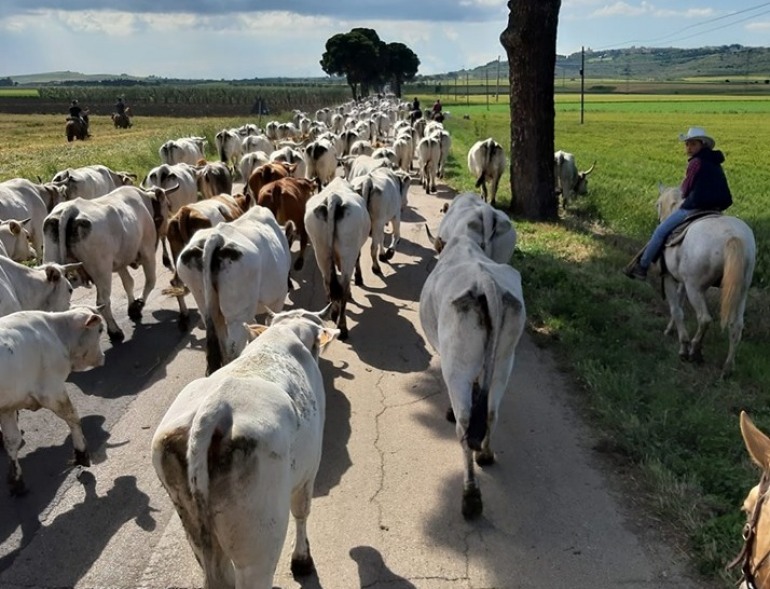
648, 63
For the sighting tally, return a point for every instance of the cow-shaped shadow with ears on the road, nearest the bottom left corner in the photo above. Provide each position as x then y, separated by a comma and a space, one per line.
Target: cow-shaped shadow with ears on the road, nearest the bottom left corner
76, 538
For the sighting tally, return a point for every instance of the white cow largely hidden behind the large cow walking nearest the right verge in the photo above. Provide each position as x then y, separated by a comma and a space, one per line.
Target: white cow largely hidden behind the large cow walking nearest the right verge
489, 227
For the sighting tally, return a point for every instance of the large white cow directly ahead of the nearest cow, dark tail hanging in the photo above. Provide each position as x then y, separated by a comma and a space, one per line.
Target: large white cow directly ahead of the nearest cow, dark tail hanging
235, 271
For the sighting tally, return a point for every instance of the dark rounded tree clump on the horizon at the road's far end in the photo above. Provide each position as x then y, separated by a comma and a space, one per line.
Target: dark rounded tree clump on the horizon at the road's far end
367, 62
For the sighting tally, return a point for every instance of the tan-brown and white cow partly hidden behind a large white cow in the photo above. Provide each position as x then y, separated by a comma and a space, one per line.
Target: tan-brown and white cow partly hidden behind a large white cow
189, 219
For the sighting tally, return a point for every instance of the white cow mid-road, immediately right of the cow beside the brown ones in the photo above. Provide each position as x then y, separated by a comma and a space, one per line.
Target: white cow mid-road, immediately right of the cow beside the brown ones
385, 193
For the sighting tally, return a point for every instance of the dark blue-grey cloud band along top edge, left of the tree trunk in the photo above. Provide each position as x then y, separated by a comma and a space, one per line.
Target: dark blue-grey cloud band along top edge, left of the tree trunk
396, 10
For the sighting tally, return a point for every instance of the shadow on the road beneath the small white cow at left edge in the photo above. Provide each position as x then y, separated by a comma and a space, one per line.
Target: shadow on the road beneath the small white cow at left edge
48, 470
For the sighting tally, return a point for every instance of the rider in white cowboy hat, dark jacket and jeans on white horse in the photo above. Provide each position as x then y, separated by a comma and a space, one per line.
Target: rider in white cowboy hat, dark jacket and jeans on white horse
704, 189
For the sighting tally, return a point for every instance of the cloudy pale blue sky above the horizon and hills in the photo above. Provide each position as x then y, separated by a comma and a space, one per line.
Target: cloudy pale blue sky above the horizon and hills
235, 39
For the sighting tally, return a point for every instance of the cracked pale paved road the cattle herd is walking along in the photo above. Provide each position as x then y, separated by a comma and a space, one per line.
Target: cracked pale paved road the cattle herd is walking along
386, 512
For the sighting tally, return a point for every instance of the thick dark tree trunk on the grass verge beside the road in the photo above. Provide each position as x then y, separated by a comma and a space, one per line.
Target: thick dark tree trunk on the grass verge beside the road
530, 42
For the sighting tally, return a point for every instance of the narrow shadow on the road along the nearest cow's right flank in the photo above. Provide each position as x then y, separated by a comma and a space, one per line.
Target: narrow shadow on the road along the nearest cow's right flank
335, 458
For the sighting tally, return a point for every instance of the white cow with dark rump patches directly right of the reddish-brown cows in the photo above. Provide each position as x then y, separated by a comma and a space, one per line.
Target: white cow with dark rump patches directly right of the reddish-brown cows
338, 224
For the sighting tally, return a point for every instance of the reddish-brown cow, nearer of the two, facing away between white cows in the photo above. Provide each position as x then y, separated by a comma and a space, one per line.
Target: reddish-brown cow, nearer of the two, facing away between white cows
286, 199
